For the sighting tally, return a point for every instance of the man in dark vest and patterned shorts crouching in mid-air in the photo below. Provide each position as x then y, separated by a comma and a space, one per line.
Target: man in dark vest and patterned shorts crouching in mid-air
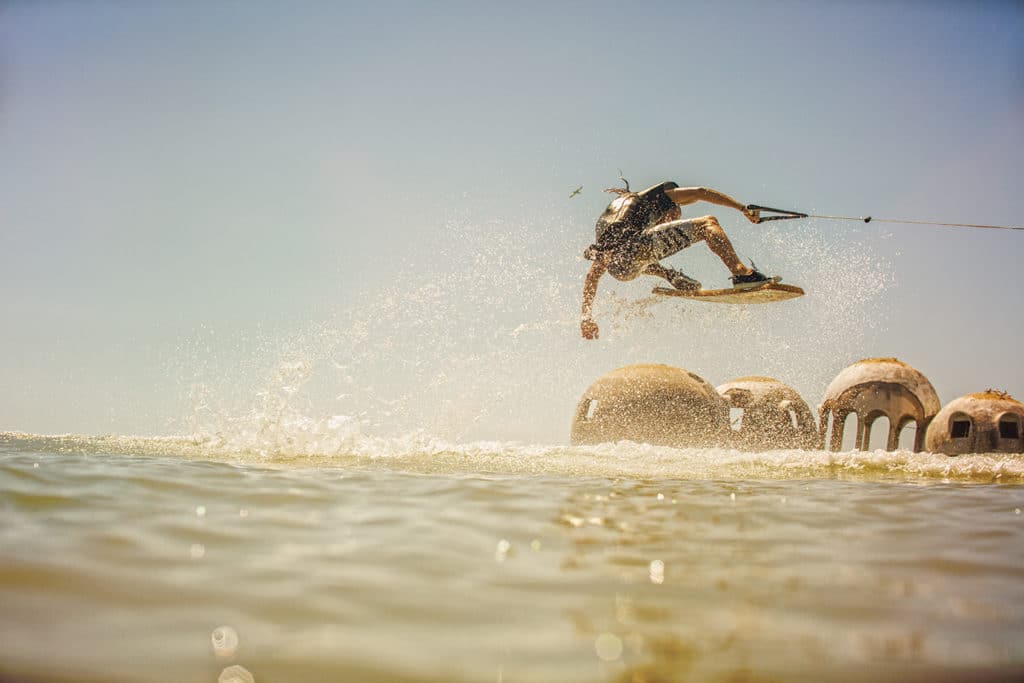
638, 230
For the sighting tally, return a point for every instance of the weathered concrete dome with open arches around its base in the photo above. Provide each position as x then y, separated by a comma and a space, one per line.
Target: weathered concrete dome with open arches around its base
873, 389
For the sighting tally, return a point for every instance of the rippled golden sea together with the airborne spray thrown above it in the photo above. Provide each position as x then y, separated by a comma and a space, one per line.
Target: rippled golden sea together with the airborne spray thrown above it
386, 495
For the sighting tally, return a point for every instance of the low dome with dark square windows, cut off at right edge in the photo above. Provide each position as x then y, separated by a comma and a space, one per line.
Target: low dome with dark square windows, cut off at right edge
987, 422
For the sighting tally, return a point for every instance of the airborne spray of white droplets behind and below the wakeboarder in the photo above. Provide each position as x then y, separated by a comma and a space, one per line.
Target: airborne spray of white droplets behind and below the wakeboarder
482, 341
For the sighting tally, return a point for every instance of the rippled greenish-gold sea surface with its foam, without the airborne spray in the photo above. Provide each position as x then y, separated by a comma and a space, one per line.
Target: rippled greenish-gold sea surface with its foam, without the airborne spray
425, 562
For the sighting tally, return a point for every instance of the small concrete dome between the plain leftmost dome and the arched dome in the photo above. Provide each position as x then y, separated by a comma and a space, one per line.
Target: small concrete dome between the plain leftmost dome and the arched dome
775, 416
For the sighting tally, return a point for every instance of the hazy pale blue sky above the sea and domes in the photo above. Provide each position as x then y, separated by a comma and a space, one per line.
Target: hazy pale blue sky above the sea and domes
216, 214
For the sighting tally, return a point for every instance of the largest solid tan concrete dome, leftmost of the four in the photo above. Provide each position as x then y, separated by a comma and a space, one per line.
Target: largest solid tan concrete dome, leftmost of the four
654, 405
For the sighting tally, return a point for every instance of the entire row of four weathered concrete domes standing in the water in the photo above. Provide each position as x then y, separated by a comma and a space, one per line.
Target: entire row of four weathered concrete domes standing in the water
662, 405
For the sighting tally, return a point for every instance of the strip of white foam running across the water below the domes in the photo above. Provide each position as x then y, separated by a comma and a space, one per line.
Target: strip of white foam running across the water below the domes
340, 446
